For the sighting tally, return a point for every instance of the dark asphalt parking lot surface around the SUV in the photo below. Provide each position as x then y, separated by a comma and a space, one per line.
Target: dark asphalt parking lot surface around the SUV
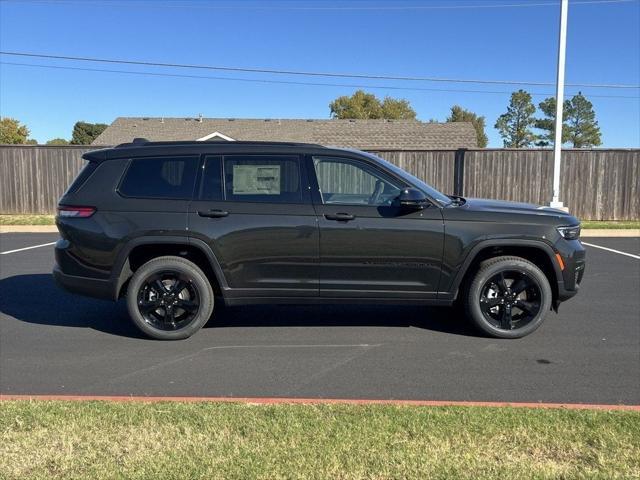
52, 342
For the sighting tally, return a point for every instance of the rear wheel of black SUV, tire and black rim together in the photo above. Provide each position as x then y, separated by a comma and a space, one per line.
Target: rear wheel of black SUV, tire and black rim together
169, 298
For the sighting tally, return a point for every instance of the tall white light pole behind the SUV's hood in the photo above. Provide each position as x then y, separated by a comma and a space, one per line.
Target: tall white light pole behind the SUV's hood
557, 144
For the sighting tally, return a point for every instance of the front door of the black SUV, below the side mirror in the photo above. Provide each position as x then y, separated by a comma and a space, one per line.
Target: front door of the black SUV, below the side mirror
368, 246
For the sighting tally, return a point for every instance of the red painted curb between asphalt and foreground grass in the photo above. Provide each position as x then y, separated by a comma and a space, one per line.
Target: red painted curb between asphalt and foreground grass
317, 401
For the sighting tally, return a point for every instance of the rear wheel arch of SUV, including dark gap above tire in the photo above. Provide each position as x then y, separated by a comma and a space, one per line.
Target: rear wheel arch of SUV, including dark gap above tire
141, 249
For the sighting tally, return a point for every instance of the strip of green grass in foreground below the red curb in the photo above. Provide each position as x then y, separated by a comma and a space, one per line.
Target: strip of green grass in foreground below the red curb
42, 439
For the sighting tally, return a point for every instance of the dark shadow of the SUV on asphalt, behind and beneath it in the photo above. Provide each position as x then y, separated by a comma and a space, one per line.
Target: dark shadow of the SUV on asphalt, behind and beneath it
36, 299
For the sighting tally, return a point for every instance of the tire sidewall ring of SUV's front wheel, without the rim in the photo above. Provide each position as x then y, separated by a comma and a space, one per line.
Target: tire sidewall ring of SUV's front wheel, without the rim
484, 274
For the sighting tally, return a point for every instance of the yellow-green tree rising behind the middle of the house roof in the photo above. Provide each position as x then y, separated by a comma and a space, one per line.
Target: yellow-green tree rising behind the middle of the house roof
363, 105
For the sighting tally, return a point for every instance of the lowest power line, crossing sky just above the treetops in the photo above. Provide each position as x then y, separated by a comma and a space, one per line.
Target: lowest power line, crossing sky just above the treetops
286, 82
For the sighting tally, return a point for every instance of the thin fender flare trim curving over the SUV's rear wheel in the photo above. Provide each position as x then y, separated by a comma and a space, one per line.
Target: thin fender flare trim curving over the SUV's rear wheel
122, 270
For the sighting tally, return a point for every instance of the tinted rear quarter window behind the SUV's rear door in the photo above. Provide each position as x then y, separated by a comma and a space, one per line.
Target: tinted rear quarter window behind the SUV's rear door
160, 177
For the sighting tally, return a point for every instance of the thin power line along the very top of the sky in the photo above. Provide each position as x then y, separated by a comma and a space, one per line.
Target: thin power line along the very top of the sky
297, 7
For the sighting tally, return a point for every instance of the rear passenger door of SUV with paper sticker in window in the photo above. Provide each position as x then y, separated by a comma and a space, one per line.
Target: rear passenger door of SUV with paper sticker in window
255, 213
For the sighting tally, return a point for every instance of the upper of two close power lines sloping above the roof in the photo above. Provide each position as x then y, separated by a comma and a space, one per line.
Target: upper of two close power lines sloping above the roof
309, 73
